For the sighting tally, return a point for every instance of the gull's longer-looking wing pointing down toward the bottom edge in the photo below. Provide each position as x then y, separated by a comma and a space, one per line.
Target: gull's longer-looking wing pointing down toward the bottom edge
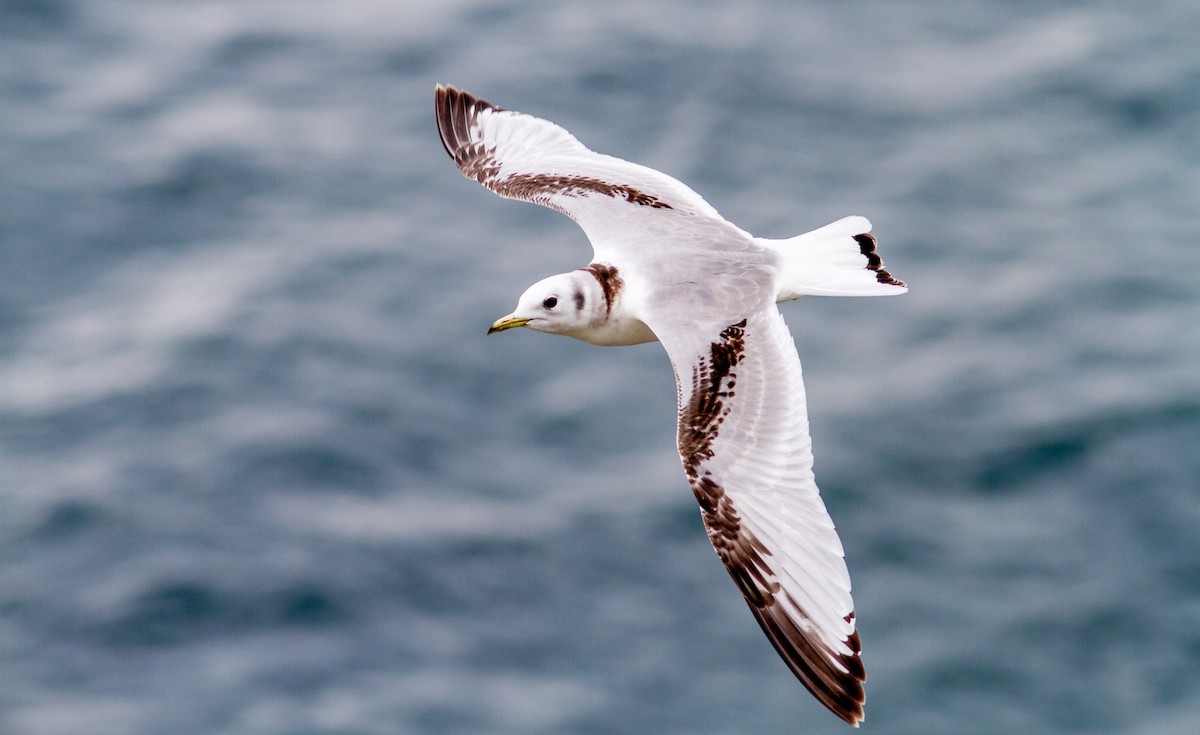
746, 449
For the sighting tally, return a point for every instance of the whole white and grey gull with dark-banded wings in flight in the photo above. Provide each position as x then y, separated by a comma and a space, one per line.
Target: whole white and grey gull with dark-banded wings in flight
669, 268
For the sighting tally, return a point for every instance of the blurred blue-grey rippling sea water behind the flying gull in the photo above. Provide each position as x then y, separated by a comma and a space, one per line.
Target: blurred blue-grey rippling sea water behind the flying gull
262, 471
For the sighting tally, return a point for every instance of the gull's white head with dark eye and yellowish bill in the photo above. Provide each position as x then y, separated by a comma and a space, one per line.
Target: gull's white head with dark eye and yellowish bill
568, 303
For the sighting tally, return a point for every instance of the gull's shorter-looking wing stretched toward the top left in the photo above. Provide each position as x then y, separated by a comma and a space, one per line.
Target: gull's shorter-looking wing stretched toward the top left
621, 206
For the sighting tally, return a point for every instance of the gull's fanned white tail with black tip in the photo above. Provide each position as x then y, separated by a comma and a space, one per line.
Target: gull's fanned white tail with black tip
836, 260
